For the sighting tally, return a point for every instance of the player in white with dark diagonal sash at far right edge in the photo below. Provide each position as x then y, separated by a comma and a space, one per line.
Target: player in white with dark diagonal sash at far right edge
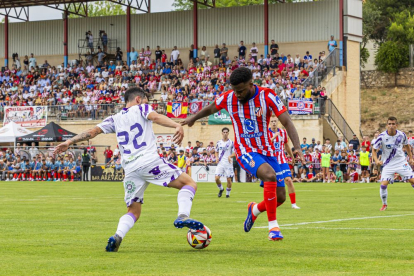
393, 160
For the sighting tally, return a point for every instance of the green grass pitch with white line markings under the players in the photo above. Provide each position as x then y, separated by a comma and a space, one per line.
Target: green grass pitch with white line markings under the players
61, 228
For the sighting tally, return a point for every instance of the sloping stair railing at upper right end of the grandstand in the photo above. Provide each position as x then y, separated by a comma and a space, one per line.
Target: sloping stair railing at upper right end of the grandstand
323, 69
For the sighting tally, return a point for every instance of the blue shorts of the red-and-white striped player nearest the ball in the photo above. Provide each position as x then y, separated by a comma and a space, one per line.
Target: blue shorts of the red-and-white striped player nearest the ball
250, 162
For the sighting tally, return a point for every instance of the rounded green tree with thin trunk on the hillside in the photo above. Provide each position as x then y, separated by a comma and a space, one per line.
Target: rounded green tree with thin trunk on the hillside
391, 57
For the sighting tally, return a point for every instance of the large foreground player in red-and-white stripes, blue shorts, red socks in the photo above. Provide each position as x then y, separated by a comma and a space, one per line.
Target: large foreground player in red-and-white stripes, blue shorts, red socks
250, 108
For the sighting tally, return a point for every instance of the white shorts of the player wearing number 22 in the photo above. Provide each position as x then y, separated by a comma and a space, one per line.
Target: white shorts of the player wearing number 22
159, 172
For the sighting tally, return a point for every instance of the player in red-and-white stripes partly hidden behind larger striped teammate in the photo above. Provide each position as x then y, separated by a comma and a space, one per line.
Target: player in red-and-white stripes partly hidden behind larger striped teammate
280, 139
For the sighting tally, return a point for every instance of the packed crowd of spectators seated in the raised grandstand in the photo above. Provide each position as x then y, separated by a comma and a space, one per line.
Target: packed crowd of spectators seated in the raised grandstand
91, 90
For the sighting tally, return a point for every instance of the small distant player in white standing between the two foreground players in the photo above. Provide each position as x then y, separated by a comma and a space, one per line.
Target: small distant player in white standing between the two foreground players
224, 155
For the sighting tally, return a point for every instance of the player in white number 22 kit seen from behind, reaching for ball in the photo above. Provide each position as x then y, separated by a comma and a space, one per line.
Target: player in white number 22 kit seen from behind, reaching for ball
141, 162
